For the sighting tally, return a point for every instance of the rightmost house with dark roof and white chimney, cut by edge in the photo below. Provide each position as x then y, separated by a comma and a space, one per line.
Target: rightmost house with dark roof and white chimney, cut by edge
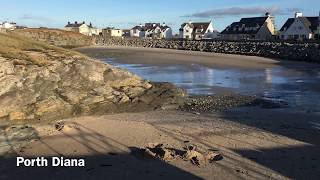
301, 27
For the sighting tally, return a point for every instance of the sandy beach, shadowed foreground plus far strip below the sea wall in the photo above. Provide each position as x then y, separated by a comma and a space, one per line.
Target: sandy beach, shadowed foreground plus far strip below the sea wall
255, 142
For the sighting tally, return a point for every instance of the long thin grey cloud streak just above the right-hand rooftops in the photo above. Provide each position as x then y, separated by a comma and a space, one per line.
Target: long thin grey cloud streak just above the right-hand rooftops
236, 11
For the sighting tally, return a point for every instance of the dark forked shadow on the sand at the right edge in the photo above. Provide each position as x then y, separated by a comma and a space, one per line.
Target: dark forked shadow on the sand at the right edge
293, 161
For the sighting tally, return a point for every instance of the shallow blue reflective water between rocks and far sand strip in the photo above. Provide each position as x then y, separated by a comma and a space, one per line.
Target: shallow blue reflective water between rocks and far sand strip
300, 88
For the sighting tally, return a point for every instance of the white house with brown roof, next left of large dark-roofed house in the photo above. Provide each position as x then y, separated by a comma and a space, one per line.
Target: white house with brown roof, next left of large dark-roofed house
197, 31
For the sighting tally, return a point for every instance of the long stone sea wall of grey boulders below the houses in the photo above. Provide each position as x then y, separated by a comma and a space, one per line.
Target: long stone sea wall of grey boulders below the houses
299, 51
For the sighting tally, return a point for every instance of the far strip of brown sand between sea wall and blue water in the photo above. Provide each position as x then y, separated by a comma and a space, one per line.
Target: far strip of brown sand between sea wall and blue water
210, 59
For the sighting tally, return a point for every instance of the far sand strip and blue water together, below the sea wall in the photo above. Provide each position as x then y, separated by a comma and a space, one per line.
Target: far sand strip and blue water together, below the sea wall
203, 73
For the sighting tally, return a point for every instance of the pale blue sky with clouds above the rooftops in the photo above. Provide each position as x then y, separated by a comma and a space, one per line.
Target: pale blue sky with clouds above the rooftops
128, 13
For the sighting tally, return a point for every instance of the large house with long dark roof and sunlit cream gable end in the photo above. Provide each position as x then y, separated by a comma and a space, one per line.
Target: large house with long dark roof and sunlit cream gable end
258, 28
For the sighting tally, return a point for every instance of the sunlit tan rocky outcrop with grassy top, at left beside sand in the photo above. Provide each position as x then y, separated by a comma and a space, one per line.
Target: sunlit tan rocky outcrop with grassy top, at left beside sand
43, 82
